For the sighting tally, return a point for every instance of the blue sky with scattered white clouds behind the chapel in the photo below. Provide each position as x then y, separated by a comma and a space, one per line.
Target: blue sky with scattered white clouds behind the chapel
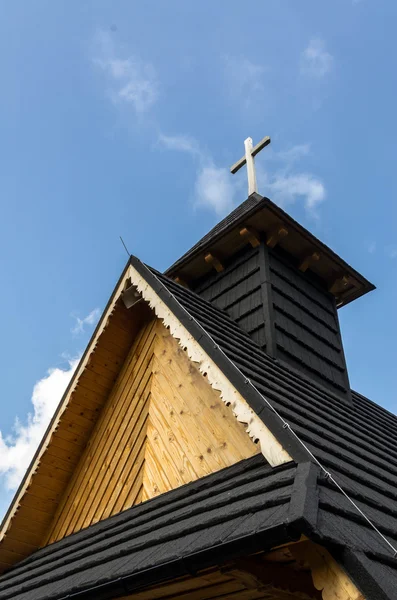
122, 118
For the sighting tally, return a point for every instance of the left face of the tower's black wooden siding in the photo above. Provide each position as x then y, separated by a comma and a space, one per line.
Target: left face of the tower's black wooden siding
237, 290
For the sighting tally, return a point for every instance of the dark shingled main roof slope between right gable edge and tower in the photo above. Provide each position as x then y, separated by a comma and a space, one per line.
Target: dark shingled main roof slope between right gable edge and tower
356, 443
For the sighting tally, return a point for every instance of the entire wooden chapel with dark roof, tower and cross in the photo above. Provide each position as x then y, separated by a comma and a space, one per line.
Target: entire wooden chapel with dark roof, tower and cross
209, 445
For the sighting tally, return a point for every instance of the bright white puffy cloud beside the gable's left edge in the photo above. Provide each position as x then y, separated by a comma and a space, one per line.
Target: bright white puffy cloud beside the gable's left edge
17, 450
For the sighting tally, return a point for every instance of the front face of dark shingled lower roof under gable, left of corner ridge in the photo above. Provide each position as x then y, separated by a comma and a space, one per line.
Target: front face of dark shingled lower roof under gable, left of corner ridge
246, 501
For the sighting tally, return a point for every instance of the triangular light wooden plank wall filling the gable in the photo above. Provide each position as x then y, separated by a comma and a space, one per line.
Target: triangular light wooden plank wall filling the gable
163, 425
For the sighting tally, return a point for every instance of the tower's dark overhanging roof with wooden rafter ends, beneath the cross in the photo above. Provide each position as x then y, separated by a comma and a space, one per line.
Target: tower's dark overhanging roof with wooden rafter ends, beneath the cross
259, 216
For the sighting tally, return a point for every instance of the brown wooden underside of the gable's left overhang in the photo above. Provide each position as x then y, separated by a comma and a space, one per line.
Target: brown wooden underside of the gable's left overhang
41, 493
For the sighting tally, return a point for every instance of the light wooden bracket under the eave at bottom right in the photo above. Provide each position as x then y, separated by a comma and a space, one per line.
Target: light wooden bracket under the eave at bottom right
328, 576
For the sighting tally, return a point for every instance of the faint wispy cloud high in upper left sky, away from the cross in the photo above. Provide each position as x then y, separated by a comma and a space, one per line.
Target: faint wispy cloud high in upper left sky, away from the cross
131, 81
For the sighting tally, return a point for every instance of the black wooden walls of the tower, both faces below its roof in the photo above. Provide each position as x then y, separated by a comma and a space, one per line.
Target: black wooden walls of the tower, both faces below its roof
283, 311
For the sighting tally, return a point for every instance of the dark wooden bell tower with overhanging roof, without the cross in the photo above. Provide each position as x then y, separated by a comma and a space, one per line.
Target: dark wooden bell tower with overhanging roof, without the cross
282, 286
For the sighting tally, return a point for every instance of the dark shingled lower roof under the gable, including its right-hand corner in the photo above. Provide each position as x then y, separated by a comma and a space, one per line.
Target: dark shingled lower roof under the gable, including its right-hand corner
246, 508
